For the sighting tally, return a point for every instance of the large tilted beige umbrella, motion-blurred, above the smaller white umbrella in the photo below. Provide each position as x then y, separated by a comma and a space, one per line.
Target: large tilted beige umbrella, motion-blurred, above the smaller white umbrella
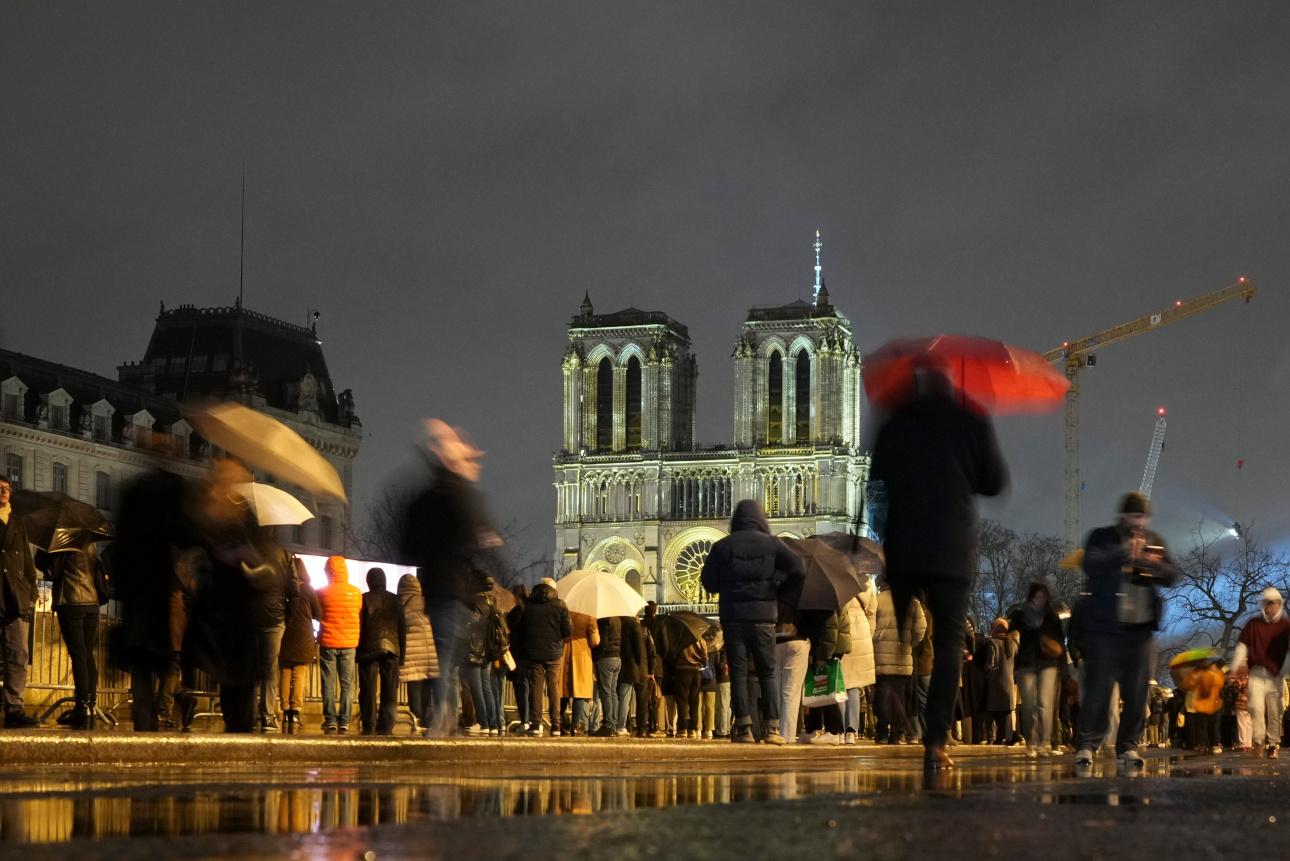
268, 445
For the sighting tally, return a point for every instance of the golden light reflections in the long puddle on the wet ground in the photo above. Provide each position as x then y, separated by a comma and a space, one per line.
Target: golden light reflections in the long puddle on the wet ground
52, 806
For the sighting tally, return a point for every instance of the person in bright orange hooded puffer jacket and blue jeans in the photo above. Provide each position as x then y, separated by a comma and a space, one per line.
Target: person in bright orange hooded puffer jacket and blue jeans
339, 638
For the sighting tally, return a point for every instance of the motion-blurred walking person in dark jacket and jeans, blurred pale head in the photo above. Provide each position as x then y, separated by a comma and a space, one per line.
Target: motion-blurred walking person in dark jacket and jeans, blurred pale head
446, 530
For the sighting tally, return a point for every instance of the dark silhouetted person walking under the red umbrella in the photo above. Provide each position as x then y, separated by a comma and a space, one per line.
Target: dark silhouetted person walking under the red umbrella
933, 456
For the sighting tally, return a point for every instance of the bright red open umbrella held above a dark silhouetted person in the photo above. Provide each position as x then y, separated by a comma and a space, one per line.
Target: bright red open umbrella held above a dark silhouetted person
994, 376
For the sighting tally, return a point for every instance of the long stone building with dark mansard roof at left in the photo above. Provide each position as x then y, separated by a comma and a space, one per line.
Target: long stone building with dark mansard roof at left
70, 430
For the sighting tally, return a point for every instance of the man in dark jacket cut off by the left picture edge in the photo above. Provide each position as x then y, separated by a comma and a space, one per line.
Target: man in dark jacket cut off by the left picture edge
17, 607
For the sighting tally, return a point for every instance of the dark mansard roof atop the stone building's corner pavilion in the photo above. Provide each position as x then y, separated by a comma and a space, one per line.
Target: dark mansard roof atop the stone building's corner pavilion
198, 353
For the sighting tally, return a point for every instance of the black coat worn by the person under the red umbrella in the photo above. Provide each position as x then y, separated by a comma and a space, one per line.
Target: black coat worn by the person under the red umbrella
935, 456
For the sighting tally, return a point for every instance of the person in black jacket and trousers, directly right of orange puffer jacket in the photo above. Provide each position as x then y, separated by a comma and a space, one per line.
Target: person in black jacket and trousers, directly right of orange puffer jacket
382, 638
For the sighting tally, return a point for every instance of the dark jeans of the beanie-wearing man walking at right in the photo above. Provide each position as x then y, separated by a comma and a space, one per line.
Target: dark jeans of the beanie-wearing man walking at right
1123, 658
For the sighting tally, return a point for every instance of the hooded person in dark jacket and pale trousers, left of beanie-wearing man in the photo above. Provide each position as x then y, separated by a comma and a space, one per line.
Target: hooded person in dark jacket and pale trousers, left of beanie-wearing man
1039, 655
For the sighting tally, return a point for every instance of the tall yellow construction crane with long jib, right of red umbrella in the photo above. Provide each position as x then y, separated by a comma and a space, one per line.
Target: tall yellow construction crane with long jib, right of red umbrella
1077, 356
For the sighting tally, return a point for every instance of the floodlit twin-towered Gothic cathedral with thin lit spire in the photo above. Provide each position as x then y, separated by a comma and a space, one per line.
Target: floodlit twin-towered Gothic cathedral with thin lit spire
638, 498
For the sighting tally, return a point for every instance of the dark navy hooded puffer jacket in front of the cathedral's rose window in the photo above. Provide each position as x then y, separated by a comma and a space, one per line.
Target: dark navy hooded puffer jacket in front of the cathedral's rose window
750, 569
